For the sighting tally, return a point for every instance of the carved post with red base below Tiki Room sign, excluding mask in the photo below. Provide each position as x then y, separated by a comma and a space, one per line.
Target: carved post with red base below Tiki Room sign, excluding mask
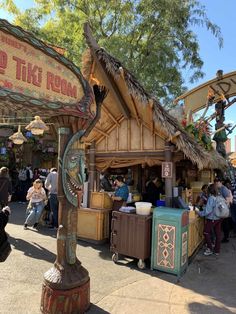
66, 285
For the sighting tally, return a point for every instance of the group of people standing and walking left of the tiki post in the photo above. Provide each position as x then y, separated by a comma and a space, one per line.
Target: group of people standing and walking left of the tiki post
36, 187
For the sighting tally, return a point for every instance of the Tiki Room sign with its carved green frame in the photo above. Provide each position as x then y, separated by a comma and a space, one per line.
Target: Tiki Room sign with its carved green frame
35, 74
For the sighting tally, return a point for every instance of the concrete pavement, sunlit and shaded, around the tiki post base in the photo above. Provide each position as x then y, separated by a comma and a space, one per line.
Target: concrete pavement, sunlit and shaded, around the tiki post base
208, 286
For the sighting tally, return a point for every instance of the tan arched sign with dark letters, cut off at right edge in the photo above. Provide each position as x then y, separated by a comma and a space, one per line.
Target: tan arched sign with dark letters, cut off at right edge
196, 98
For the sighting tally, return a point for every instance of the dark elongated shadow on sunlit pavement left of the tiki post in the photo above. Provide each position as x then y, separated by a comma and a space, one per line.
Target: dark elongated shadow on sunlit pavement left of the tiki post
32, 250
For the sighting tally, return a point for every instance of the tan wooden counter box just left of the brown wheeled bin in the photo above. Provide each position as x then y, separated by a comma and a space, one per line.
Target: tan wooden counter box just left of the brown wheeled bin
93, 224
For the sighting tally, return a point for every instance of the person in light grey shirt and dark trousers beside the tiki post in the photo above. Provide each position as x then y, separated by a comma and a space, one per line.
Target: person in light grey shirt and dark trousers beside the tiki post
51, 185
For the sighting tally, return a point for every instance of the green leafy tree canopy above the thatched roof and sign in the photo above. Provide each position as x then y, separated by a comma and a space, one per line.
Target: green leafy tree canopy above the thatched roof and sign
153, 39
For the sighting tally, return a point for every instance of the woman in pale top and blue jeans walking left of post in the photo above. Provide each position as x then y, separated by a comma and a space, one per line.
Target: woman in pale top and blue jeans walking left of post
36, 196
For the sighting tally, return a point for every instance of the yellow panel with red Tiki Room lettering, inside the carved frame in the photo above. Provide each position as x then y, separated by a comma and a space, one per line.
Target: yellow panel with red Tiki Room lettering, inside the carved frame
29, 71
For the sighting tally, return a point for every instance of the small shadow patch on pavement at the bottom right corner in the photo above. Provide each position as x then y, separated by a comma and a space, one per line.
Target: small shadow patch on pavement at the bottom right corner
196, 308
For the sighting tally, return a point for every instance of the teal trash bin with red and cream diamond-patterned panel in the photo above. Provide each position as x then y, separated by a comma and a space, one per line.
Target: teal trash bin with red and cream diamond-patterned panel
170, 240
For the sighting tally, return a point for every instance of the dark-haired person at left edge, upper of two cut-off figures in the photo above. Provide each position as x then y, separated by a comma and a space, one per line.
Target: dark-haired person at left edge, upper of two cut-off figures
5, 187
